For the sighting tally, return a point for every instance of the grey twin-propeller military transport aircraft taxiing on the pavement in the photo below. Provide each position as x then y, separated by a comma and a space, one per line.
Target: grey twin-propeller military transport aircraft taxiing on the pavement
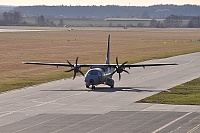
99, 73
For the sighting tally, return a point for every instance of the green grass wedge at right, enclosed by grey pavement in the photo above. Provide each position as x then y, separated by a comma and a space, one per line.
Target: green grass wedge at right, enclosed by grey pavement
185, 94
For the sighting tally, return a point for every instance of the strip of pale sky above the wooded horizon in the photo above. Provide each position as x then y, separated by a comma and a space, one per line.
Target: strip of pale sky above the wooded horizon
97, 2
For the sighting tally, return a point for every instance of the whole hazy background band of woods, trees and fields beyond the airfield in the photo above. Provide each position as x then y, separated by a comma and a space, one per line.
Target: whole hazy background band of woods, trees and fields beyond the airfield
157, 16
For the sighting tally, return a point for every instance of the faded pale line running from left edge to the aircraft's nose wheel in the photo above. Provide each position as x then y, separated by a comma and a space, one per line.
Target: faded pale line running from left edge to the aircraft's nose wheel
41, 104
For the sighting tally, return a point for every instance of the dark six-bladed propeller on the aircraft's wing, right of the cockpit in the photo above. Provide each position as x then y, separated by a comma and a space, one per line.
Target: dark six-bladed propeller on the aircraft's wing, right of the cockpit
120, 68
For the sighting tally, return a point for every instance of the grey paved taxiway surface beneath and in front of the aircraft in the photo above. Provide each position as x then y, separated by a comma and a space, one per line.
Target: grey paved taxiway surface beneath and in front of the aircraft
67, 106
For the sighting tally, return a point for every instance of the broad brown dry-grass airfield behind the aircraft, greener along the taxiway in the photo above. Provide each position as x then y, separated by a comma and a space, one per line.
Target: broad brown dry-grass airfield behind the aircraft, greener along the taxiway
89, 44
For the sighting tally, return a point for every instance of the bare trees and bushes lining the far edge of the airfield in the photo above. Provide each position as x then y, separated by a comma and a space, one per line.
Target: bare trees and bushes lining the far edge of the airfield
15, 18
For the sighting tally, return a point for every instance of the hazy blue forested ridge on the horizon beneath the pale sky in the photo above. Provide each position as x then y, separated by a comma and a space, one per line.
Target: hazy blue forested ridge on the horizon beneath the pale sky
110, 11
